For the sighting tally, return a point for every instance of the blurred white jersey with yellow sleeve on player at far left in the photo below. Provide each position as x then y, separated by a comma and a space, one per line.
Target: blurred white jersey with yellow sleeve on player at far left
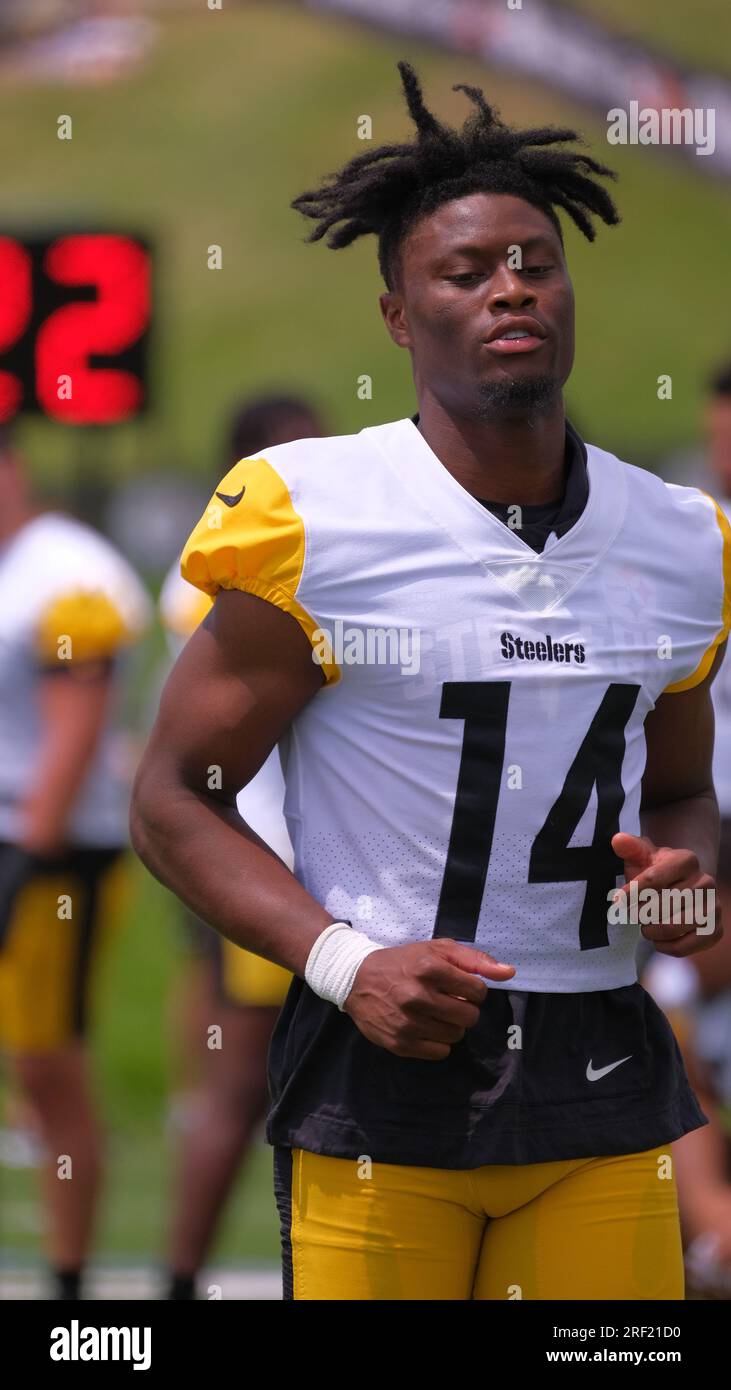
66, 596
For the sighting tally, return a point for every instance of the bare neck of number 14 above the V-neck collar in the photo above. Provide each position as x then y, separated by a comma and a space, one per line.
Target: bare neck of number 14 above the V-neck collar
512, 461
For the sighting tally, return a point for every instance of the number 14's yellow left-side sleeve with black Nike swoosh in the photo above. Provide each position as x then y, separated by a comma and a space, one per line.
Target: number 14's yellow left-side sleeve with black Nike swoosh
252, 539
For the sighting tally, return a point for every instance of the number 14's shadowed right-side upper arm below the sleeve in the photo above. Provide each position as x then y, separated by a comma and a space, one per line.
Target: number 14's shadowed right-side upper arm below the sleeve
679, 735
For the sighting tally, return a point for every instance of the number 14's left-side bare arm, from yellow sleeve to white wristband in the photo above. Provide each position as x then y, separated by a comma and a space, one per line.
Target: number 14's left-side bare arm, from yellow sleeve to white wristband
236, 689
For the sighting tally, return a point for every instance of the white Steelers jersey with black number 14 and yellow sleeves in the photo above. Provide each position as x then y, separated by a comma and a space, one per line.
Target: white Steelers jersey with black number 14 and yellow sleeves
480, 735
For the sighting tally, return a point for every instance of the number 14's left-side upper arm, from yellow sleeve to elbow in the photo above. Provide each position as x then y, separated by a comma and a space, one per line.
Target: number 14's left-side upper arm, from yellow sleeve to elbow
243, 678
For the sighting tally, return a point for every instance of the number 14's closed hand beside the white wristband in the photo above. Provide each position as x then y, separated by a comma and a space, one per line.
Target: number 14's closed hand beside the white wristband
419, 1000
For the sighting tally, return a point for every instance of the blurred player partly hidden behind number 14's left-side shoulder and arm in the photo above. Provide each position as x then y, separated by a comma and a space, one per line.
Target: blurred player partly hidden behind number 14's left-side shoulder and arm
223, 985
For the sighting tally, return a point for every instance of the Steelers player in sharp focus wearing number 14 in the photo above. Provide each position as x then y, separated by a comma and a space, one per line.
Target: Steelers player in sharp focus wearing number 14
487, 648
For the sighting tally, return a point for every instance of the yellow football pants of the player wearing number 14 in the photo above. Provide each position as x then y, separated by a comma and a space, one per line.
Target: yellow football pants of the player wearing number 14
593, 1228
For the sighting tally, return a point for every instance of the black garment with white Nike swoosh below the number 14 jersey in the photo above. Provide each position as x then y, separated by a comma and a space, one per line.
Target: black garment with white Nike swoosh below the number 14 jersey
540, 1078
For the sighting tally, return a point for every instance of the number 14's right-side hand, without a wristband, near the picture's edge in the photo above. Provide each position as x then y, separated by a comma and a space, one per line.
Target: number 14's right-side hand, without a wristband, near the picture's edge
658, 869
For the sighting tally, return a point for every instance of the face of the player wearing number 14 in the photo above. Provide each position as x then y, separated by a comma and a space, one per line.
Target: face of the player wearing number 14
473, 272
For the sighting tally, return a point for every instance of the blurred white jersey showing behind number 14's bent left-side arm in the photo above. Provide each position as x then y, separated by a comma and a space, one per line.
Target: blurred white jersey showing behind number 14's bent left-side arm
262, 801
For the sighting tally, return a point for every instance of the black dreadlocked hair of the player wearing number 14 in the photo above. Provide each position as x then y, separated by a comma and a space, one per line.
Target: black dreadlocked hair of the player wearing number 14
391, 188
